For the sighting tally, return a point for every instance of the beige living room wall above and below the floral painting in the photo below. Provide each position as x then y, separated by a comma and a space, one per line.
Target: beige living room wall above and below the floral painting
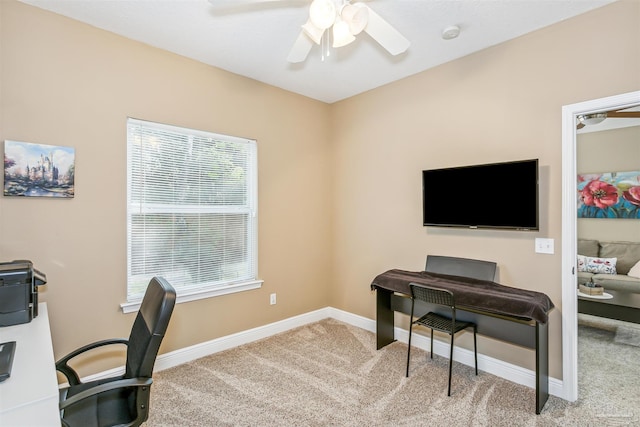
615, 150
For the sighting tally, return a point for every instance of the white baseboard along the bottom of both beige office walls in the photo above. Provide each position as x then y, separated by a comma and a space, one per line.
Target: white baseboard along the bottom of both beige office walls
487, 364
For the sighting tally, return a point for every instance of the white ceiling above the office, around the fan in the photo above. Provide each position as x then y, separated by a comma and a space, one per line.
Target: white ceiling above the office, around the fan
253, 37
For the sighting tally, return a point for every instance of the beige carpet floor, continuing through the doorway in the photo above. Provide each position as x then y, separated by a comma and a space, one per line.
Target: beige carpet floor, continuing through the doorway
330, 374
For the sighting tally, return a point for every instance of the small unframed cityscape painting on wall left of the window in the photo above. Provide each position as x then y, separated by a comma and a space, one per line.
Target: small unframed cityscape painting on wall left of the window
38, 170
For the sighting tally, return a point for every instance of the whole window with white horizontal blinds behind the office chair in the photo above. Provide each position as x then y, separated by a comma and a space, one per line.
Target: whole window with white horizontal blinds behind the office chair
191, 211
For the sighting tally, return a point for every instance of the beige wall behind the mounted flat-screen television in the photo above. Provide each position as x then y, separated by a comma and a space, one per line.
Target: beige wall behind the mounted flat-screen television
504, 103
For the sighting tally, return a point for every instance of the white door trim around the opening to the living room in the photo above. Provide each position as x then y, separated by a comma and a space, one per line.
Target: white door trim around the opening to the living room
569, 231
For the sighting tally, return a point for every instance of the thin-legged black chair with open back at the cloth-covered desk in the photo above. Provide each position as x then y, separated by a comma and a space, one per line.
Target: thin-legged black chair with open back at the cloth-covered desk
439, 322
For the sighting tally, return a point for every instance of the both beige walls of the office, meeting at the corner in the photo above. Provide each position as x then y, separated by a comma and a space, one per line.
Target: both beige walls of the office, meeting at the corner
352, 168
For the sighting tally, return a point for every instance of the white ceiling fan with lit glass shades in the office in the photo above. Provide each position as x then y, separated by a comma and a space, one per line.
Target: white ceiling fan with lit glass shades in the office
340, 20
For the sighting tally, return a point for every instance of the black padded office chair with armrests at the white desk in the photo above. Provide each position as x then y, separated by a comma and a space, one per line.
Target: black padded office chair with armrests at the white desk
121, 400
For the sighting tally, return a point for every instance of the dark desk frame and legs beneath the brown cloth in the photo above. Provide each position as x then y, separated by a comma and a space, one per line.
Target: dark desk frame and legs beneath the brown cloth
527, 333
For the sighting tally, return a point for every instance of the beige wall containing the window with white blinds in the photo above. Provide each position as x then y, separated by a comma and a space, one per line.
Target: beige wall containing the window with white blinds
67, 83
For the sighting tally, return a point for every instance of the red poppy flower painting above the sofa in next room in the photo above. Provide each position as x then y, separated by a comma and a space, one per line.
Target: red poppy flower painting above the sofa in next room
609, 195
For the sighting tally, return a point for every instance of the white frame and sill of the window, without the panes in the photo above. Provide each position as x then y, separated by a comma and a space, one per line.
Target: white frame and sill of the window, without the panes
185, 292
